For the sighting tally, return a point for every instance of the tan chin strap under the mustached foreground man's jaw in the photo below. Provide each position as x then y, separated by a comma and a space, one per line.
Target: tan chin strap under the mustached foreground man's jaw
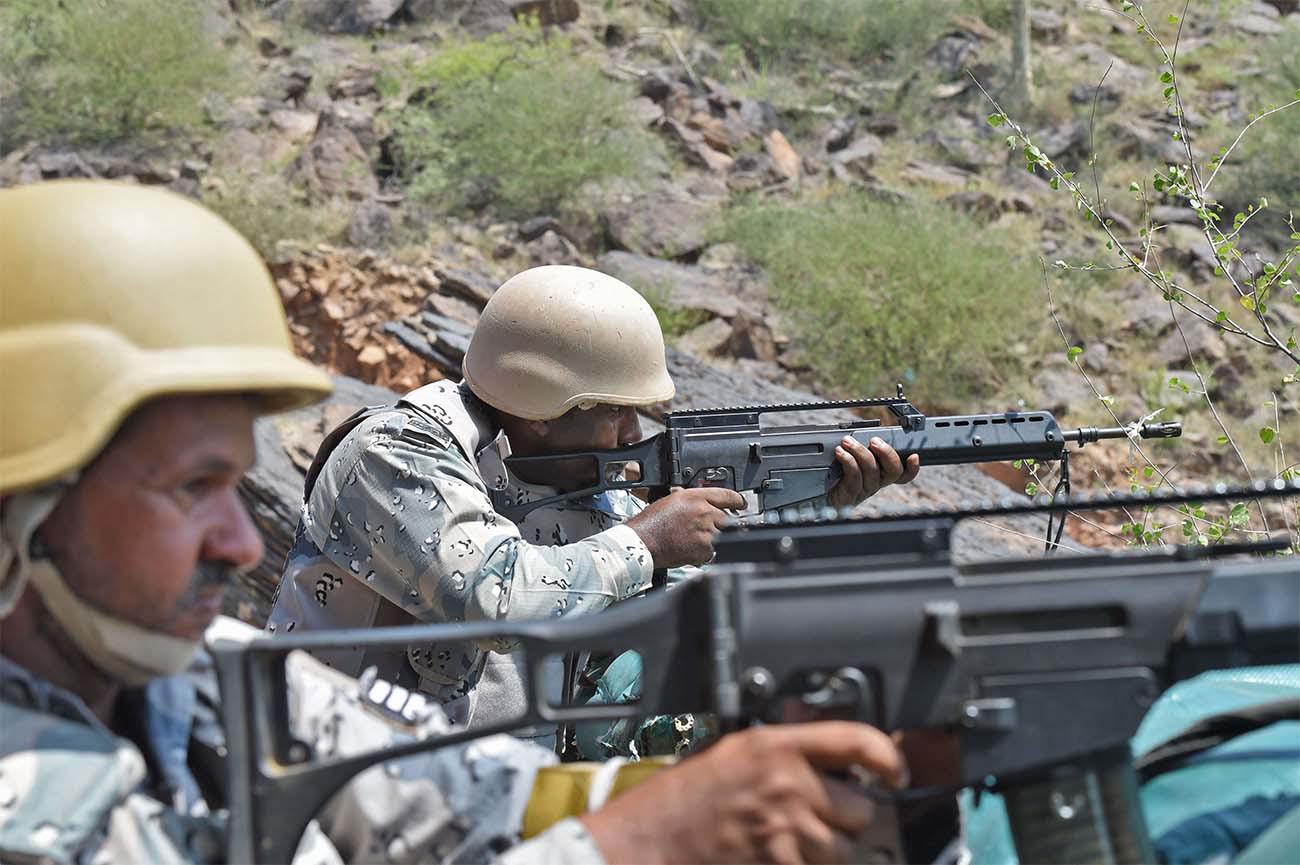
127, 652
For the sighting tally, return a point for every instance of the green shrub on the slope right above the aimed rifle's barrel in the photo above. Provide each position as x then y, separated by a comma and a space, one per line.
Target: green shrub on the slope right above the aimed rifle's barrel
879, 293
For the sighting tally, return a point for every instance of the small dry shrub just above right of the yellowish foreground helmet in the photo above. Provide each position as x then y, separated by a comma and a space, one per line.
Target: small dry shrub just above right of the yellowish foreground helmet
275, 215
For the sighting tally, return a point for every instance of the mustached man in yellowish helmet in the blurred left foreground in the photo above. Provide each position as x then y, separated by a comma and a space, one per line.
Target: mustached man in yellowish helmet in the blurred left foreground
140, 338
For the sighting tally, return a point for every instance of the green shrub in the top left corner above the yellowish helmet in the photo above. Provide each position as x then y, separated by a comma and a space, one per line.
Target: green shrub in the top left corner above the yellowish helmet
98, 71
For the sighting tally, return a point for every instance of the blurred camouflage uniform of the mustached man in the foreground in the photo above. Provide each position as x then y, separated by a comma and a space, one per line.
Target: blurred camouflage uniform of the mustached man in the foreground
72, 792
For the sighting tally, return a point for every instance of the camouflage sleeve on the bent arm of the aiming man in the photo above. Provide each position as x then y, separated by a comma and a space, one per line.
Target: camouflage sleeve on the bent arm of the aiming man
400, 507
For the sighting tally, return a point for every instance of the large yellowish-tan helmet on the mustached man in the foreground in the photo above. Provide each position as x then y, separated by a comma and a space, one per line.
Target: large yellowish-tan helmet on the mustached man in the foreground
114, 295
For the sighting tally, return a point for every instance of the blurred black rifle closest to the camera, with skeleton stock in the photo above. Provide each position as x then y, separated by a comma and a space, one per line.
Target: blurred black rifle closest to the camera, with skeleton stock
1043, 667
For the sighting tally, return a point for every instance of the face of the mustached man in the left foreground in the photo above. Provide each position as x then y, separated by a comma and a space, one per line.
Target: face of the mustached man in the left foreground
154, 531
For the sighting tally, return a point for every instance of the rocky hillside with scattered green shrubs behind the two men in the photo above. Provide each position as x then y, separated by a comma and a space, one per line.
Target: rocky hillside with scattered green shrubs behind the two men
340, 136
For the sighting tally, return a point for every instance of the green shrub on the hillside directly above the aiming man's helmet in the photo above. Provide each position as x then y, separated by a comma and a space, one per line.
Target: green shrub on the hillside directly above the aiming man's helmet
515, 122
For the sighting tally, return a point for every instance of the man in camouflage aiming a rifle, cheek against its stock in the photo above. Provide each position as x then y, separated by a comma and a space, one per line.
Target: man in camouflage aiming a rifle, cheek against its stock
401, 525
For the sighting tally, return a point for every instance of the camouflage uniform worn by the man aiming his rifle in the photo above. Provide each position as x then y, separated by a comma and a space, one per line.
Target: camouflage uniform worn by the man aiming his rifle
401, 525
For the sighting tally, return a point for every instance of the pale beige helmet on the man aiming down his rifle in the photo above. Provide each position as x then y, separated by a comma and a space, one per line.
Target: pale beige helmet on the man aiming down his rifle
556, 338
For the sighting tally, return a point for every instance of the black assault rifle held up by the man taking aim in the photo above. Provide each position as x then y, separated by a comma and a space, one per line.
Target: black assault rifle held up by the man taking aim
786, 465
